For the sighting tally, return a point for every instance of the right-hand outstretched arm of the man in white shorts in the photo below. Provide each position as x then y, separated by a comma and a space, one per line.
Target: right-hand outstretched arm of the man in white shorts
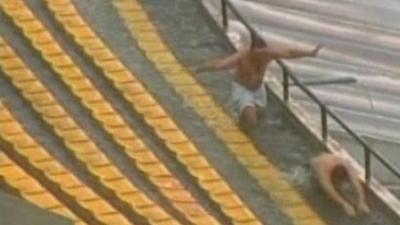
291, 53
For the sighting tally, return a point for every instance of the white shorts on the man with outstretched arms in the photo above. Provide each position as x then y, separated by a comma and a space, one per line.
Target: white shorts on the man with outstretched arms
243, 97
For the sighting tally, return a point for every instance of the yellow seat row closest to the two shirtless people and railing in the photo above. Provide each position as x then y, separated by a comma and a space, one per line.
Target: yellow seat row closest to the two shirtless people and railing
267, 175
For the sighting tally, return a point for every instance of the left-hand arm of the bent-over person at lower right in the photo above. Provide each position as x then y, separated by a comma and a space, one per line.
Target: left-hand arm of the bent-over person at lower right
324, 178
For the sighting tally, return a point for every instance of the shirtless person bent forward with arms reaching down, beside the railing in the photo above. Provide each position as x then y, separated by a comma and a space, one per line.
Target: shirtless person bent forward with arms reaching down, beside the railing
332, 172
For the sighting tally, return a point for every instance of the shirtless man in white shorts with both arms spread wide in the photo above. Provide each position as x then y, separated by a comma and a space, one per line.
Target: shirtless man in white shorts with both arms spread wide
248, 93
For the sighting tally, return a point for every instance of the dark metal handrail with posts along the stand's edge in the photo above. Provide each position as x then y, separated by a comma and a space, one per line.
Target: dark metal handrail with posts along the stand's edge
324, 110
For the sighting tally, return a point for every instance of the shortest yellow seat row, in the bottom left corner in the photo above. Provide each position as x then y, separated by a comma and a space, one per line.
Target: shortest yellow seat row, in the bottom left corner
31, 190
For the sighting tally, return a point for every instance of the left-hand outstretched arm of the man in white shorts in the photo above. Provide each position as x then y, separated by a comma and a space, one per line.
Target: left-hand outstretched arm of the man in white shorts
228, 62
